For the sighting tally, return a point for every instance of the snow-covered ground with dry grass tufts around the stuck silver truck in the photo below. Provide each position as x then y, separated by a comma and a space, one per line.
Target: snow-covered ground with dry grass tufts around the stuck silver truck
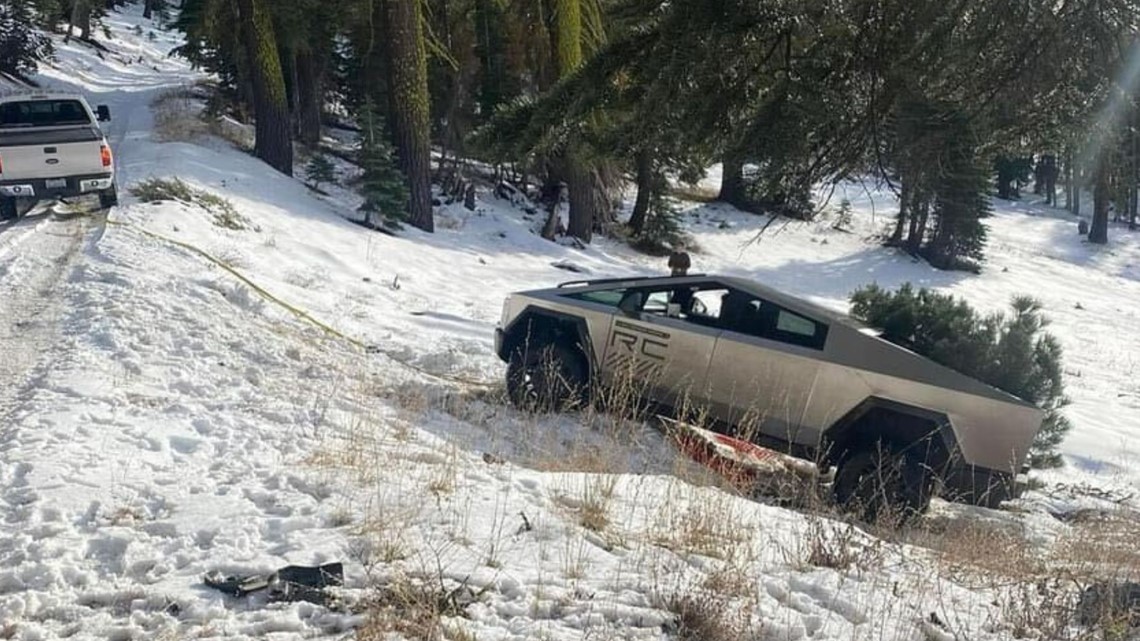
194, 399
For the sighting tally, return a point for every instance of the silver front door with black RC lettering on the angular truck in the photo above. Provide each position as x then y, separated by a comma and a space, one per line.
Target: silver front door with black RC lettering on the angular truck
663, 358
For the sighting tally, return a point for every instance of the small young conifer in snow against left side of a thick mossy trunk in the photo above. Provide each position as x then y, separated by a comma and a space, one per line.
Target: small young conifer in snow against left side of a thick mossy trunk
384, 185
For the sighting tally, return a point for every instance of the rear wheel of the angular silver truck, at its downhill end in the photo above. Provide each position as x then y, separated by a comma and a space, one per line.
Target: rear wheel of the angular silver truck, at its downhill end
882, 482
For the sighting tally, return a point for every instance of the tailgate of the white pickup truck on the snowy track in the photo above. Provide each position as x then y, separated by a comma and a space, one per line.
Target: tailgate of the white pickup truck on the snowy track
52, 155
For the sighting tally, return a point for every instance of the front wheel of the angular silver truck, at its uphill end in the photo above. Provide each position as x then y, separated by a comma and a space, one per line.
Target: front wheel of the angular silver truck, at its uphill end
547, 378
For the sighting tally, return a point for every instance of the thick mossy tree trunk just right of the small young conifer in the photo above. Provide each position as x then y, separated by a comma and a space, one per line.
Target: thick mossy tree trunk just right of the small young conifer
408, 76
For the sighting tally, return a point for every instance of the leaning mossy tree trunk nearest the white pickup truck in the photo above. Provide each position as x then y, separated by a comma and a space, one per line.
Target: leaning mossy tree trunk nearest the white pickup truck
273, 142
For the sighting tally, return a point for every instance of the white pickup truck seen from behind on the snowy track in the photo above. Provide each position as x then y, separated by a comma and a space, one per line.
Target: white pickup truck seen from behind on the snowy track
52, 148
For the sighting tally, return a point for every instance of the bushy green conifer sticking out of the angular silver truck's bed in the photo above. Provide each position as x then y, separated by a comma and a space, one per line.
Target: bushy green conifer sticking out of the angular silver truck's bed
1009, 352
